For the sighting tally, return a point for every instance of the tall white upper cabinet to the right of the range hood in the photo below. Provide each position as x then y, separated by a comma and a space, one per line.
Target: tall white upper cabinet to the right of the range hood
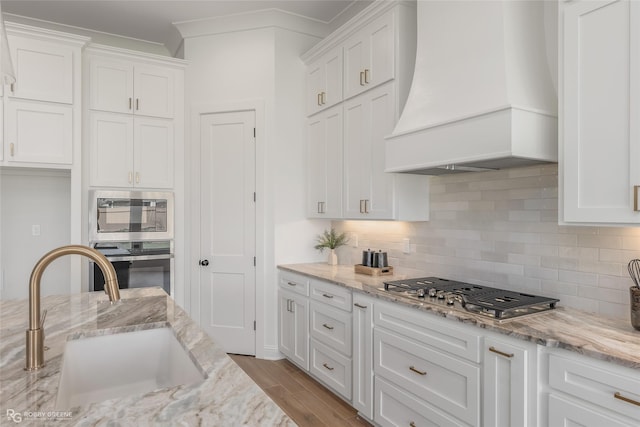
600, 111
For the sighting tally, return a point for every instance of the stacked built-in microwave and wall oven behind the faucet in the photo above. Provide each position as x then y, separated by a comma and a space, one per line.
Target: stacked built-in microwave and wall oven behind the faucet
134, 230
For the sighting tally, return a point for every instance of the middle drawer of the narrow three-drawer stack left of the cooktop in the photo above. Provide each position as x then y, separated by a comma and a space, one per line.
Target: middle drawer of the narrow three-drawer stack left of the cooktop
331, 327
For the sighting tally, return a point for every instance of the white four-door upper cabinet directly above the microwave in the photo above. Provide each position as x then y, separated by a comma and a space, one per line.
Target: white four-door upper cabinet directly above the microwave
135, 118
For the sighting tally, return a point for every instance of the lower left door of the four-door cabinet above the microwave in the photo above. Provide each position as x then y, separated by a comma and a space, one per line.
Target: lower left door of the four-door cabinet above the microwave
110, 149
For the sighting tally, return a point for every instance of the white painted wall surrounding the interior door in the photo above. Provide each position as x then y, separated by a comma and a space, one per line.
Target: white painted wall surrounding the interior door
261, 68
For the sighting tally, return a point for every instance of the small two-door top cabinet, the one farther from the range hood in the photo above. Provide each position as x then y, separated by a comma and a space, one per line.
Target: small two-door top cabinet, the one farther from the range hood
324, 81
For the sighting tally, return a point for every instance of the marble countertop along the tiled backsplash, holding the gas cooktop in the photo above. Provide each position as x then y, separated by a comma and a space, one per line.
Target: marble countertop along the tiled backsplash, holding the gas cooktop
594, 336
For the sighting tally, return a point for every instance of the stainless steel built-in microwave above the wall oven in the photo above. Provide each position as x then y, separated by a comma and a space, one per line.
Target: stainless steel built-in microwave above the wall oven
130, 215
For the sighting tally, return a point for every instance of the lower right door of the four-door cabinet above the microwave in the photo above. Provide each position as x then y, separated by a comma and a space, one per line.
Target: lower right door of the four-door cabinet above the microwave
153, 152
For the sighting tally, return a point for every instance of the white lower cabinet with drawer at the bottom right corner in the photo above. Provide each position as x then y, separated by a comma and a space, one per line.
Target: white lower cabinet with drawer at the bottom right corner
590, 392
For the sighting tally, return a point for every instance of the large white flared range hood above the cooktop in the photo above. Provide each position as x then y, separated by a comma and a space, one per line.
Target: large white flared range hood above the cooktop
482, 95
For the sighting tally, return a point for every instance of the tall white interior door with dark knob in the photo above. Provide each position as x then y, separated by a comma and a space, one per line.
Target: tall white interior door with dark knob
227, 229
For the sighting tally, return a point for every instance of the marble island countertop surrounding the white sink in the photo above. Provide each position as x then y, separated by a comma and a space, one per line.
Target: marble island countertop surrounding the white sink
226, 397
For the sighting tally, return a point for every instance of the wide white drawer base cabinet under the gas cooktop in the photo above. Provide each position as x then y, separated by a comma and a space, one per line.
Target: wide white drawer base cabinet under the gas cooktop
431, 359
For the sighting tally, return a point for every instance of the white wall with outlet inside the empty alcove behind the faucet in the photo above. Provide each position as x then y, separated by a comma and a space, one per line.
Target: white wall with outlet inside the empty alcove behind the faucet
30, 198
